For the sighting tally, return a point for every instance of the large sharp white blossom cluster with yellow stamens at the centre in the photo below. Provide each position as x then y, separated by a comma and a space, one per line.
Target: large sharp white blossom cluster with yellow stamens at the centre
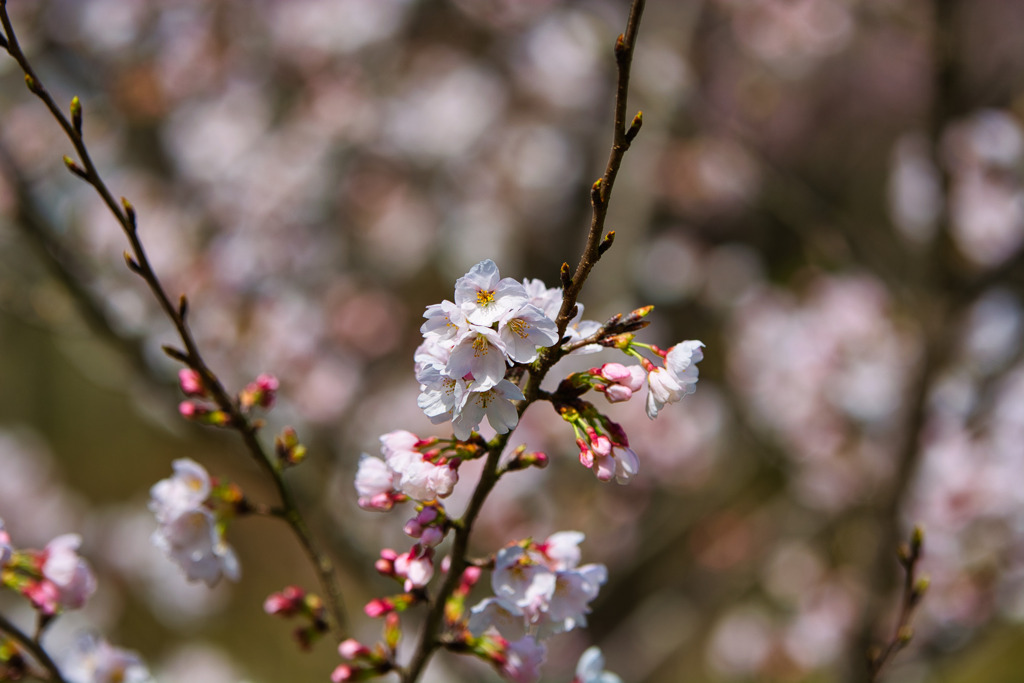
470, 345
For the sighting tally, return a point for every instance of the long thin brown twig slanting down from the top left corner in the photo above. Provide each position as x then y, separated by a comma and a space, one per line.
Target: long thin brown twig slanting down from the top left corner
139, 263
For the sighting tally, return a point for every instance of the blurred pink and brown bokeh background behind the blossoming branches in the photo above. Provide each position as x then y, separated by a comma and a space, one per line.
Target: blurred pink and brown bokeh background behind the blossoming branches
828, 193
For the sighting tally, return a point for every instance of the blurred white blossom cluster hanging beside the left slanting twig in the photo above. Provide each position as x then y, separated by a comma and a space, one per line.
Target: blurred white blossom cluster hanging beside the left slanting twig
190, 531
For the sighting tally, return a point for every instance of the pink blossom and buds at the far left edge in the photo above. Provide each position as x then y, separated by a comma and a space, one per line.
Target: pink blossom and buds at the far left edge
54, 579
